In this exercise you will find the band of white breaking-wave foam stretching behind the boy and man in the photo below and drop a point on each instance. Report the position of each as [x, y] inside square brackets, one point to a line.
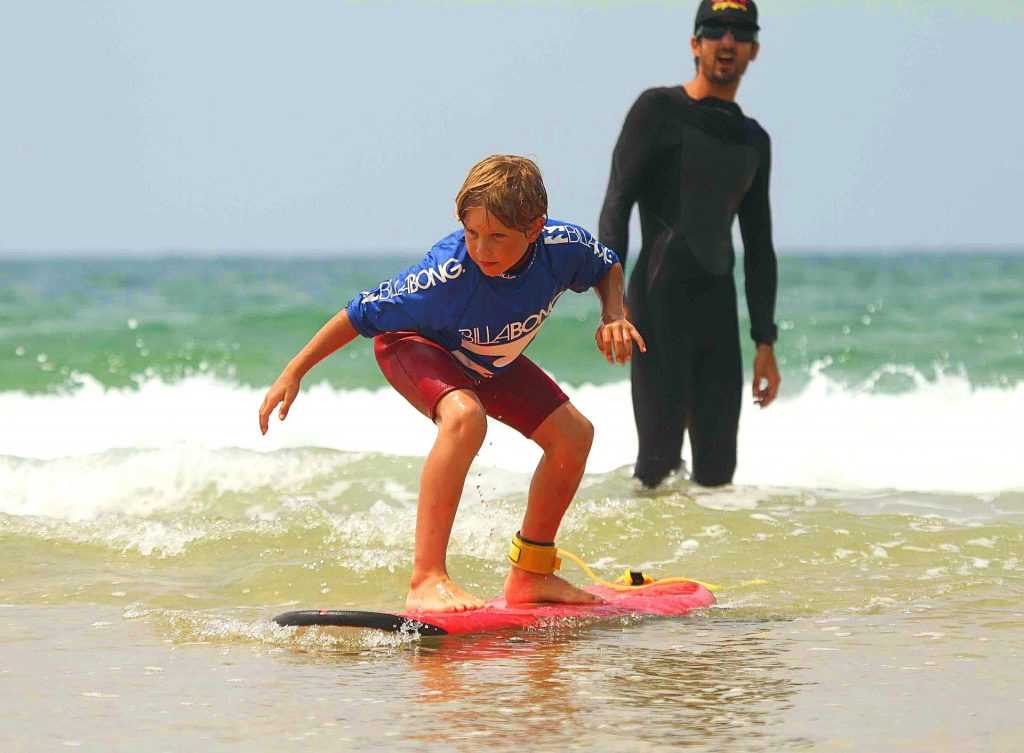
[945, 436]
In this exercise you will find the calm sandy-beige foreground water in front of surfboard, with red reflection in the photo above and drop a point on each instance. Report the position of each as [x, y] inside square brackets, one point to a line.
[729, 680]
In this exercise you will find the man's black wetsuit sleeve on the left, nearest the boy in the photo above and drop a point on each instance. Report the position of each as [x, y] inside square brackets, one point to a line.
[637, 145]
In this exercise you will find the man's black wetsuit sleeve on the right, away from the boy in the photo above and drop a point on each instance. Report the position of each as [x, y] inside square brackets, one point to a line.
[760, 265]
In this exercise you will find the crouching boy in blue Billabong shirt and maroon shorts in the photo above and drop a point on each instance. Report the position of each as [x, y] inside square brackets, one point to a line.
[449, 334]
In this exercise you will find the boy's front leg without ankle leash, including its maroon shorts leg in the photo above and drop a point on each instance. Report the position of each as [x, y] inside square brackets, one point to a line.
[426, 375]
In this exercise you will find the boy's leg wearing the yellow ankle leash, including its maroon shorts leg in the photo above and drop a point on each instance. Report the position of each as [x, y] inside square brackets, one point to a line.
[525, 398]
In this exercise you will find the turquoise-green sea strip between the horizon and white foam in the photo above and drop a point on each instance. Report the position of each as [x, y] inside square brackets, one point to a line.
[121, 320]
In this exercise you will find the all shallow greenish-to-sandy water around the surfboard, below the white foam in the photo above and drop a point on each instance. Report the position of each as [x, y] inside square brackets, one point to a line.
[884, 625]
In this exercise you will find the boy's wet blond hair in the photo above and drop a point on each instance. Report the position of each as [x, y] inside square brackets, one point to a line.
[509, 188]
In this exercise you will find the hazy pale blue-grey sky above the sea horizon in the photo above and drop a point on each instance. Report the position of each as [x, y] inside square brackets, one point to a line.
[237, 124]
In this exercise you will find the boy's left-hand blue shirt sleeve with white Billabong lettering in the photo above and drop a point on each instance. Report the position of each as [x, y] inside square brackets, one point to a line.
[411, 302]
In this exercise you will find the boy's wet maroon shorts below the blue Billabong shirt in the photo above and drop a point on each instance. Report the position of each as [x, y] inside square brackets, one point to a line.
[423, 372]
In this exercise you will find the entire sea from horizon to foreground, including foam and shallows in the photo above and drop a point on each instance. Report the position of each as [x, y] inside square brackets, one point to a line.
[149, 533]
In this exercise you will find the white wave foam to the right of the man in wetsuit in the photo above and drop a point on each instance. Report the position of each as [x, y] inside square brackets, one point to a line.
[946, 436]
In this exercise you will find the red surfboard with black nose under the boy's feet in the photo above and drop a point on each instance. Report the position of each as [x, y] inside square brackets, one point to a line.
[658, 600]
